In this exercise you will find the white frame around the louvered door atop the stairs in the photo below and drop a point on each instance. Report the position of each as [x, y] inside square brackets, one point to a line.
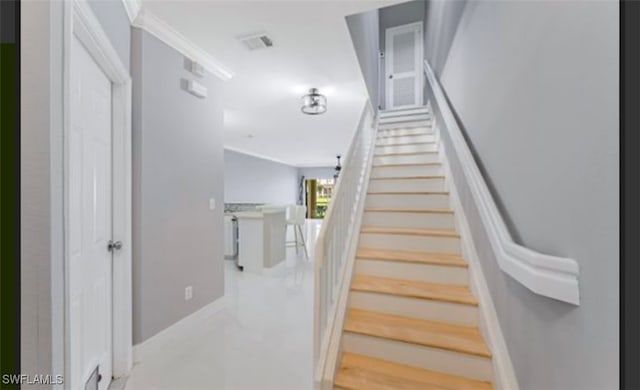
[419, 82]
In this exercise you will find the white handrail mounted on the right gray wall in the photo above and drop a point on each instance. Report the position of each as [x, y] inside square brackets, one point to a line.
[550, 276]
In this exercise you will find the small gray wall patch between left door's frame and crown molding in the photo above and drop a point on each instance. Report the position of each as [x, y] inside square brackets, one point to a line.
[115, 22]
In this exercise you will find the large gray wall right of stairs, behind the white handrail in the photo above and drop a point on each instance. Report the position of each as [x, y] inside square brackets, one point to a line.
[535, 86]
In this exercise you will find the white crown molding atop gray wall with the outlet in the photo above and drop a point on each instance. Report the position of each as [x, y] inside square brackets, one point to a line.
[161, 30]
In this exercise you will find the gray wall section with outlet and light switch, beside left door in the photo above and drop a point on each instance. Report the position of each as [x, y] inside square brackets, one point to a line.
[178, 166]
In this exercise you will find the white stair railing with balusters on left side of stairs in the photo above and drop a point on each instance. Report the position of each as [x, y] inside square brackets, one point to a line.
[335, 248]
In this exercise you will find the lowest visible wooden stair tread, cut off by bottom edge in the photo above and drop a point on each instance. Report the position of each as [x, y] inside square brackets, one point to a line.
[359, 372]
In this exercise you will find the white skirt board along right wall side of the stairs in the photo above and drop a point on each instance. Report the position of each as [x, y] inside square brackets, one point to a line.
[504, 374]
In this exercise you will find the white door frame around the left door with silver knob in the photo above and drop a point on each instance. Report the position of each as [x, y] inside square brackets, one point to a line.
[80, 21]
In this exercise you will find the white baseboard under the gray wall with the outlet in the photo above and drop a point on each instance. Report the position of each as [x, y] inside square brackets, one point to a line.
[180, 329]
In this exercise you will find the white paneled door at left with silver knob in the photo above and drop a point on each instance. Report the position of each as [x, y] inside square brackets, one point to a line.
[89, 221]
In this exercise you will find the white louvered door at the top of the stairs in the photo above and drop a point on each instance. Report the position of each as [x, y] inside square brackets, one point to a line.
[403, 66]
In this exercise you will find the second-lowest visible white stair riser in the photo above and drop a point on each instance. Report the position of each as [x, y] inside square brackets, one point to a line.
[424, 309]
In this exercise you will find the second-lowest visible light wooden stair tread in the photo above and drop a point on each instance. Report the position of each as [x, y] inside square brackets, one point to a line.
[440, 335]
